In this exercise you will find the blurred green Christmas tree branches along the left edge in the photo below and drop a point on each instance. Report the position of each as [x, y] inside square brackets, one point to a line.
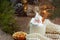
[7, 21]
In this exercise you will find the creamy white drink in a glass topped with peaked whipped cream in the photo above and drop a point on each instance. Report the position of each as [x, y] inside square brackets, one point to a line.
[36, 25]
